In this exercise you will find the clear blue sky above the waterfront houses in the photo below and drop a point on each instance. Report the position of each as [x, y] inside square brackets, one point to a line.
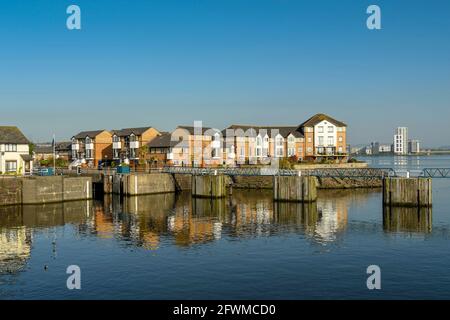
[167, 62]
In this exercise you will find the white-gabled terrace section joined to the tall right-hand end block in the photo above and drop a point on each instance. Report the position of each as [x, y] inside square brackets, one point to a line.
[319, 137]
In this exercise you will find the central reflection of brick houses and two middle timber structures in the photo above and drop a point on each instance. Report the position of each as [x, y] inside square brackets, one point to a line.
[146, 221]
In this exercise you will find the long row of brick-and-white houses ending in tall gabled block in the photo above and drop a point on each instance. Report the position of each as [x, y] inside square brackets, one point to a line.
[319, 137]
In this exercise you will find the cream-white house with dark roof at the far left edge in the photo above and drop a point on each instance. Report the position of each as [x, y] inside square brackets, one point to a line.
[14, 151]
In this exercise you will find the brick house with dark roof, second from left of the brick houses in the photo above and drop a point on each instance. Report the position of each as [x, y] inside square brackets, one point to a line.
[126, 143]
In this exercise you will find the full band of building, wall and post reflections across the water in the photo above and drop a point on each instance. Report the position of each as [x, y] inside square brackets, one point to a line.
[178, 219]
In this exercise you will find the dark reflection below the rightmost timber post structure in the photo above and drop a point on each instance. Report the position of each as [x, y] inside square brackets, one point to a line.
[407, 220]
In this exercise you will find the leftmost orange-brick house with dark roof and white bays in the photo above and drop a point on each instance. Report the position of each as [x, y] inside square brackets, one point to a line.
[92, 148]
